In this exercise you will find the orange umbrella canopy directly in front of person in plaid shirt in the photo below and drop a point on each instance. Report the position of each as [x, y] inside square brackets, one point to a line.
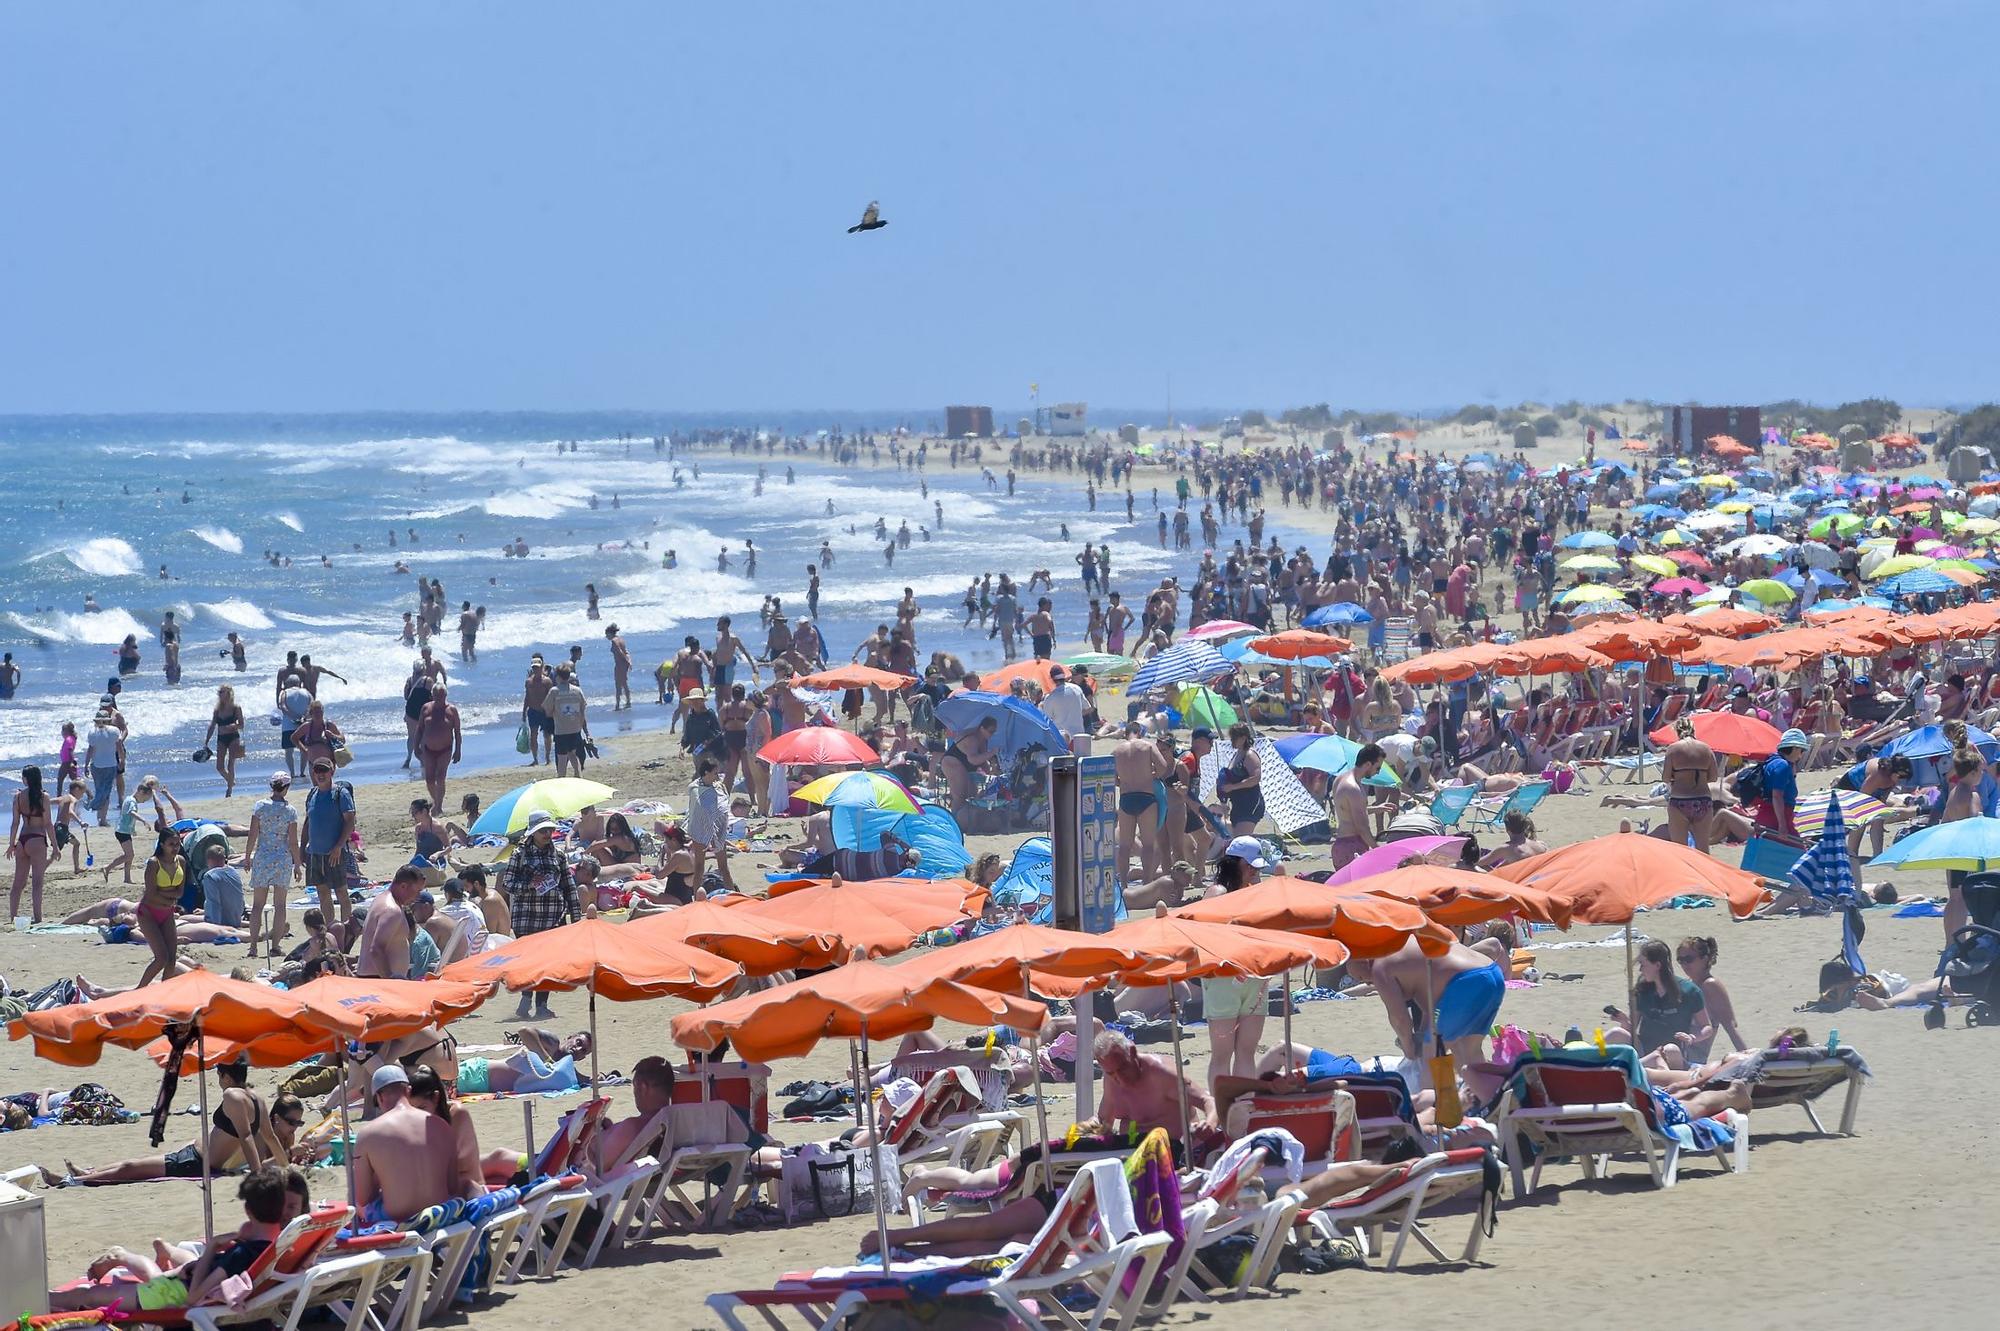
[611, 960]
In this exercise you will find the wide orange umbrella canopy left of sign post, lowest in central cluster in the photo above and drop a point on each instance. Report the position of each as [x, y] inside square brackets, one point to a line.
[863, 1000]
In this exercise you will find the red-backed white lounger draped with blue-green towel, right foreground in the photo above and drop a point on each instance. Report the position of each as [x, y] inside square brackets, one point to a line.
[1575, 1104]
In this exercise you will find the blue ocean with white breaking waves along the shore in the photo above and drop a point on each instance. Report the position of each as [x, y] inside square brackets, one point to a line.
[105, 503]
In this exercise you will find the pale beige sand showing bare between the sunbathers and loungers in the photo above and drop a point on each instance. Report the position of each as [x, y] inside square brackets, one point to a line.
[1821, 1230]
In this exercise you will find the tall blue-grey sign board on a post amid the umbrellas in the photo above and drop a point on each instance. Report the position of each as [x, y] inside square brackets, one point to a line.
[1083, 836]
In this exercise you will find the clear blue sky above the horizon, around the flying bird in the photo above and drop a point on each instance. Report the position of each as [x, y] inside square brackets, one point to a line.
[401, 207]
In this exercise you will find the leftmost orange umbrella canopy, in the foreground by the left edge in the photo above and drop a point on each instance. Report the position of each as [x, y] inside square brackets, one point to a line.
[229, 1010]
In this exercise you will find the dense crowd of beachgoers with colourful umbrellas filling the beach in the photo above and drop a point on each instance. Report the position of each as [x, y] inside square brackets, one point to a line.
[1681, 639]
